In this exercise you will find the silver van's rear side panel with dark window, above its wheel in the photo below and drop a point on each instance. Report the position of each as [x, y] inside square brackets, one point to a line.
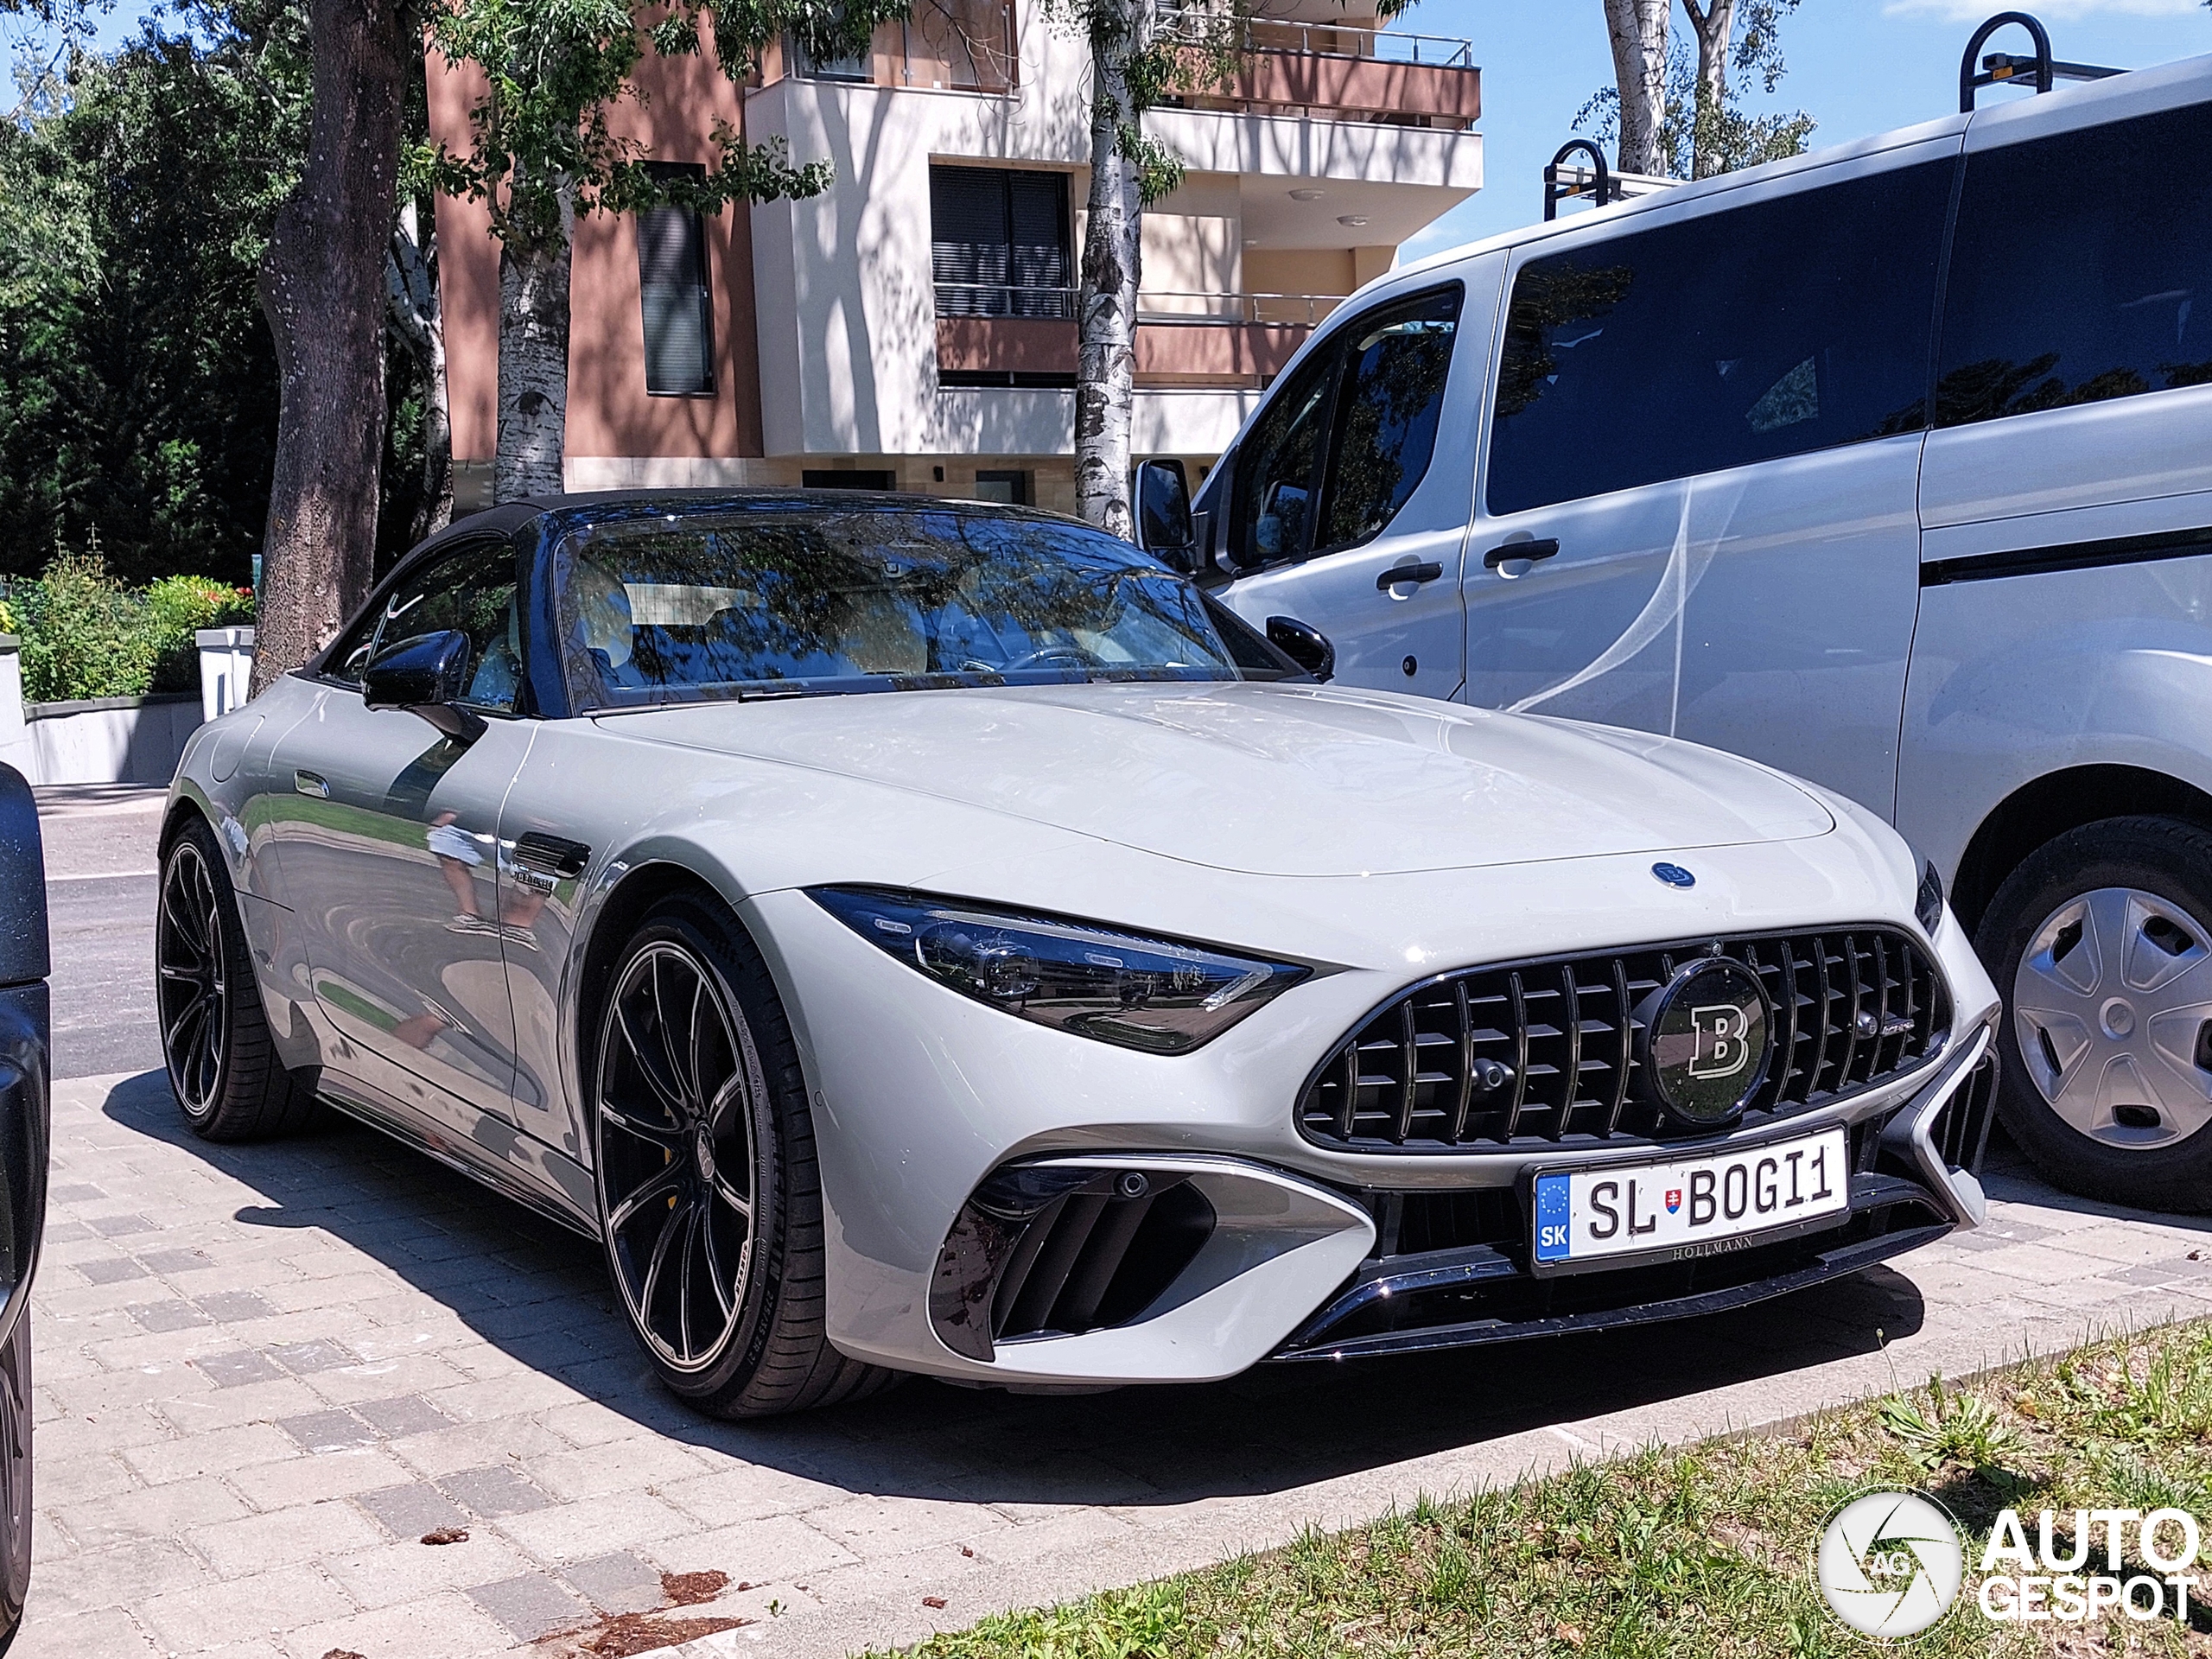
[2067, 490]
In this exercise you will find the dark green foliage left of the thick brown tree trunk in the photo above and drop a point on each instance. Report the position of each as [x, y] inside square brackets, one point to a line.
[138, 388]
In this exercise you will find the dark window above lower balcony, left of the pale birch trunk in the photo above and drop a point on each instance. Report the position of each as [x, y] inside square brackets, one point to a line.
[999, 242]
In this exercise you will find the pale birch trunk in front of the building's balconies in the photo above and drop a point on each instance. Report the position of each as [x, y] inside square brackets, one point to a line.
[1107, 302]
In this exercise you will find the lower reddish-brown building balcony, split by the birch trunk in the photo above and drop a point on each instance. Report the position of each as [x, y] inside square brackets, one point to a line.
[1025, 337]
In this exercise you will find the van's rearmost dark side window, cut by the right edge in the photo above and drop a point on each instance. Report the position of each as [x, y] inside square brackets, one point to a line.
[2074, 286]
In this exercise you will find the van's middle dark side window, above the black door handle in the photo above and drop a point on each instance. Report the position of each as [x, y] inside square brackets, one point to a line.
[1764, 331]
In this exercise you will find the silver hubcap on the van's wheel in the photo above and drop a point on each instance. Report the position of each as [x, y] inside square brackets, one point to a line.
[2114, 1016]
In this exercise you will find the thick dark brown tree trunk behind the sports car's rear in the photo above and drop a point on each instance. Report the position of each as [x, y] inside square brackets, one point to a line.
[324, 293]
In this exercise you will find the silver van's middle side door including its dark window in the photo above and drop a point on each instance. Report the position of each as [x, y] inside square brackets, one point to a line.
[1698, 503]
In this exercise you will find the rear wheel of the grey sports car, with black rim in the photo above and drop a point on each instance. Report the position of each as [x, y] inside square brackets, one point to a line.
[216, 1036]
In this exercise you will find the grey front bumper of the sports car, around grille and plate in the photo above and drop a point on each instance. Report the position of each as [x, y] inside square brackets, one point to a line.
[926, 1105]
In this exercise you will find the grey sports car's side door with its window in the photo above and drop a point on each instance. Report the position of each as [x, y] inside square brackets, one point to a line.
[390, 853]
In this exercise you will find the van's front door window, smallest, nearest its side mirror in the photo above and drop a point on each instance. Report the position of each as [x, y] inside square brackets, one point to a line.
[1346, 441]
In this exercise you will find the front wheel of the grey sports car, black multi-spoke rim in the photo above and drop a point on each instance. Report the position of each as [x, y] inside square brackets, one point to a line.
[693, 1081]
